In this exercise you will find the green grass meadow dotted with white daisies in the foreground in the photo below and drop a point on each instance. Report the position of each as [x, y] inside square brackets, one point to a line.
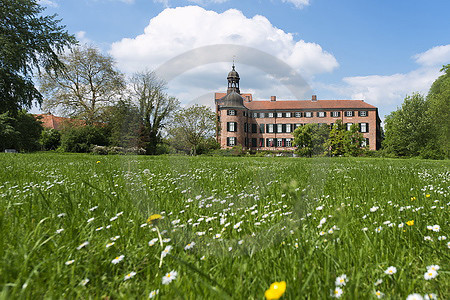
[76, 226]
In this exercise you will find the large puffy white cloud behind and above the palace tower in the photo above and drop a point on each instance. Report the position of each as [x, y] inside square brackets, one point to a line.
[254, 41]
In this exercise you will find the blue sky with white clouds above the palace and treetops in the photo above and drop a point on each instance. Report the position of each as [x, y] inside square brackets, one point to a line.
[375, 50]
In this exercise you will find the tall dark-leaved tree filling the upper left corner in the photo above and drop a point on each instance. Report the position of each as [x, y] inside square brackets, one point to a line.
[29, 41]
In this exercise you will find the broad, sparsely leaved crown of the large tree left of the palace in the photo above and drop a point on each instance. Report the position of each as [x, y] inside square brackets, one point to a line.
[85, 87]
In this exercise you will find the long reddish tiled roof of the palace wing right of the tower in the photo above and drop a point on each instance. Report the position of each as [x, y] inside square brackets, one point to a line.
[308, 104]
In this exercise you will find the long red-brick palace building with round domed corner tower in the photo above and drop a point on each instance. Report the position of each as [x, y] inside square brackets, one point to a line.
[269, 124]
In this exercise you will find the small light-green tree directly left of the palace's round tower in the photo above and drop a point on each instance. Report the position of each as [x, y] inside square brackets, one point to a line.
[193, 126]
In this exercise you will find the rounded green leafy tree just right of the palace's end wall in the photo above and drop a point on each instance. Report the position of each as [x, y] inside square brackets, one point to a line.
[409, 129]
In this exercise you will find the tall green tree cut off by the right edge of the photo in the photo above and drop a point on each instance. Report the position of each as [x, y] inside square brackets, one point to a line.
[438, 99]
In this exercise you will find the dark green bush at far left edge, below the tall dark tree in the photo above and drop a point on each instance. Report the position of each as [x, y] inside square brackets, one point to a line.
[20, 132]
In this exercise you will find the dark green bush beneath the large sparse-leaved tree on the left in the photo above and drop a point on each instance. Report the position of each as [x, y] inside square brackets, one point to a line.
[82, 139]
